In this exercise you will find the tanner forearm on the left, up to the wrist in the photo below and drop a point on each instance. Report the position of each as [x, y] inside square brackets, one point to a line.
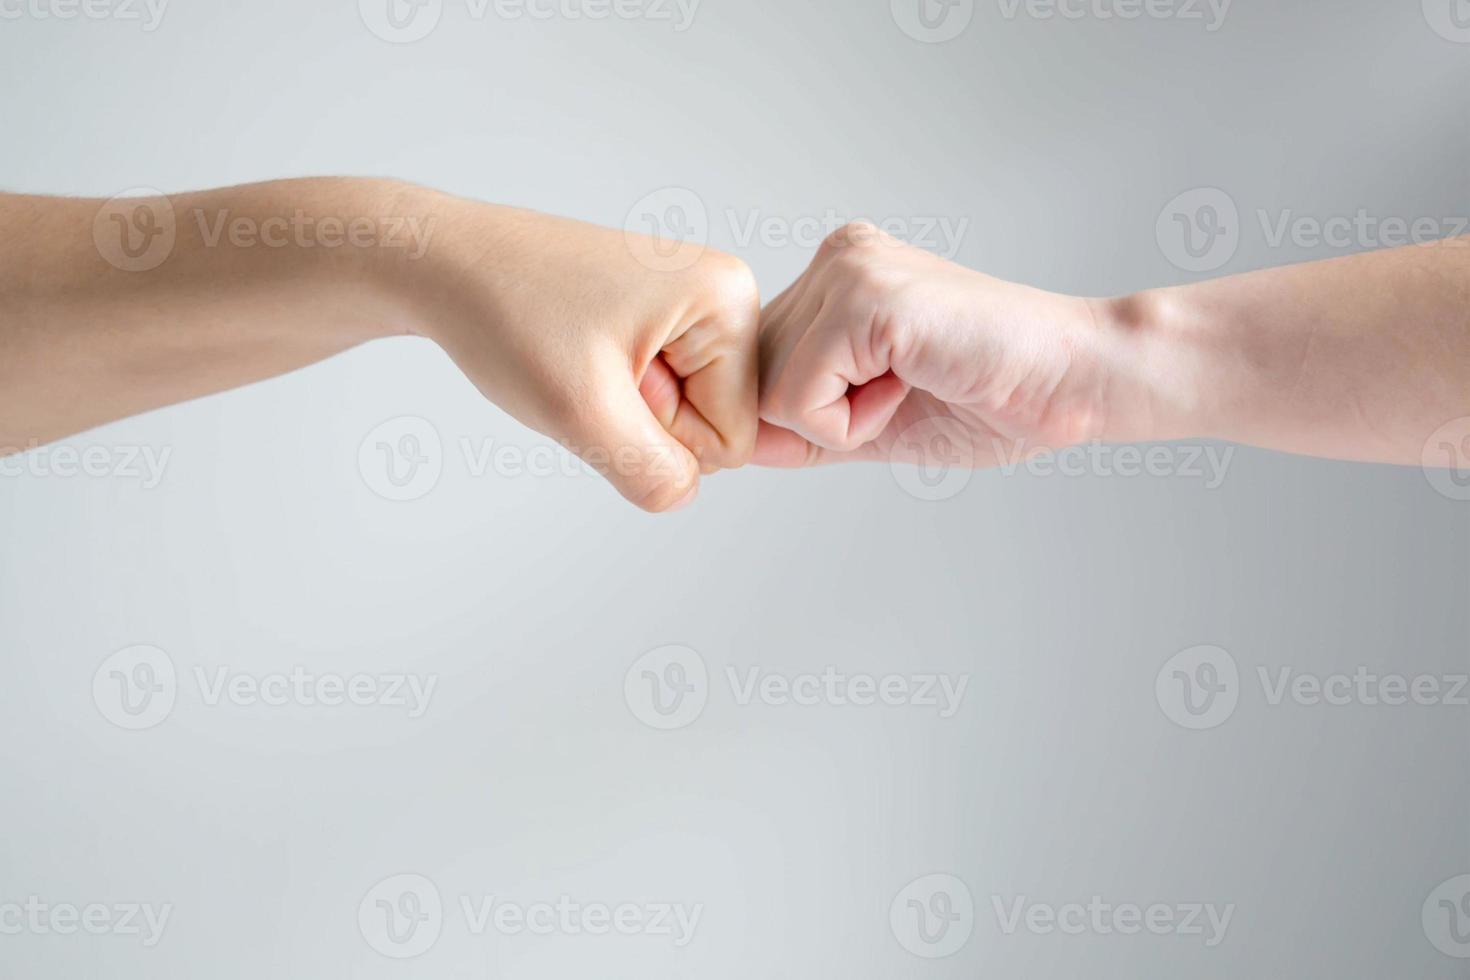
[259, 281]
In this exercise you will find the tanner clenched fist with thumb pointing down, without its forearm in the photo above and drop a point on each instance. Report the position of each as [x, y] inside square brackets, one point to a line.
[580, 333]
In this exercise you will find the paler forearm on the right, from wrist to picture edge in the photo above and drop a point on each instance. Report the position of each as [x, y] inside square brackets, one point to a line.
[1356, 359]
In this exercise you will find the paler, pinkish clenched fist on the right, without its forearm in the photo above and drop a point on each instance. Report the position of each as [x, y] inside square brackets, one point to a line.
[878, 337]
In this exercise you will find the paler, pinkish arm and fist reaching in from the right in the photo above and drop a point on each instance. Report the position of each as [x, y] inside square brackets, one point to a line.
[881, 349]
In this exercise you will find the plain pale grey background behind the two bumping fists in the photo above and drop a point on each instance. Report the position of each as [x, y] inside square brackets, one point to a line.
[530, 778]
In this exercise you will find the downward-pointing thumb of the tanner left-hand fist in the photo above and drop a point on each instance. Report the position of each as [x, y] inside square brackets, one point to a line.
[624, 442]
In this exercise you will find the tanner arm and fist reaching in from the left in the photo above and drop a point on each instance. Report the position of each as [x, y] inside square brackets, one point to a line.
[642, 362]
